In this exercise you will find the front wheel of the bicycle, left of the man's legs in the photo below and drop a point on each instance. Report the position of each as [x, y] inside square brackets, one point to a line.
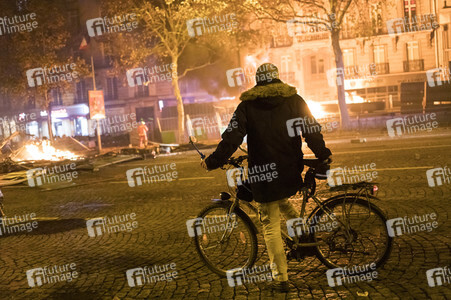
[225, 246]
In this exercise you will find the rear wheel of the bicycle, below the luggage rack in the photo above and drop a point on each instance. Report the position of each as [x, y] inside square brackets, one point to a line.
[362, 240]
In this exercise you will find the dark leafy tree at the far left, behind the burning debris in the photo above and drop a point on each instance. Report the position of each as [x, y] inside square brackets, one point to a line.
[47, 46]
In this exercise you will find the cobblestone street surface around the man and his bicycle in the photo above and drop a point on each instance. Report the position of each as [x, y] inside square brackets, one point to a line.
[161, 237]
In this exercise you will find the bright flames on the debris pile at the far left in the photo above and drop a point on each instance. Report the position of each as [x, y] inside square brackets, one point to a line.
[44, 151]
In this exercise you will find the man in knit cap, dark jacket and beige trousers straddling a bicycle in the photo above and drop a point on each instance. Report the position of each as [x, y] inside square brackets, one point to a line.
[273, 116]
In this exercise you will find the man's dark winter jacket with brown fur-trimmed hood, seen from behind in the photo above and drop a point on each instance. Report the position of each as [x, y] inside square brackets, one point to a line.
[266, 116]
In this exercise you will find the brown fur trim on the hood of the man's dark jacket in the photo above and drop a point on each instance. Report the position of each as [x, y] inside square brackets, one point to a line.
[267, 91]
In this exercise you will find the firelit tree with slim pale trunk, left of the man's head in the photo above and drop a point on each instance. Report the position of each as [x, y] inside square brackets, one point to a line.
[163, 34]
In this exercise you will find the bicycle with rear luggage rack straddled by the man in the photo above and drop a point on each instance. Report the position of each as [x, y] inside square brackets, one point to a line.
[348, 244]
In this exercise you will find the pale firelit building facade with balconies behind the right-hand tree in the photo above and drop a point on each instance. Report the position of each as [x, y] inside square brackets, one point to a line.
[386, 71]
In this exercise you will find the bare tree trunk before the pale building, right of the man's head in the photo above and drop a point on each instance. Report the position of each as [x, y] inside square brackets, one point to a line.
[344, 116]
